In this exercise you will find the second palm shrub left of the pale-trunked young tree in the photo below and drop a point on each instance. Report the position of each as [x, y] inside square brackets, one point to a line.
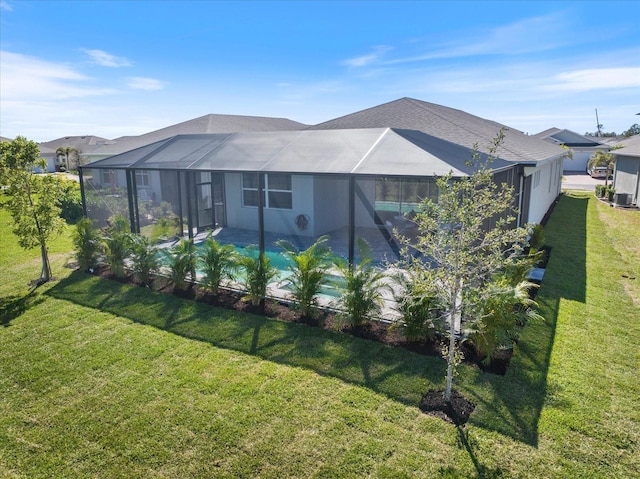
[361, 295]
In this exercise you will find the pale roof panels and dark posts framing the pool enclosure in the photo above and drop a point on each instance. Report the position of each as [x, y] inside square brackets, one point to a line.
[355, 154]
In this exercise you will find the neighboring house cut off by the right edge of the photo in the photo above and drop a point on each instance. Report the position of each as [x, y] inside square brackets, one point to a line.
[626, 176]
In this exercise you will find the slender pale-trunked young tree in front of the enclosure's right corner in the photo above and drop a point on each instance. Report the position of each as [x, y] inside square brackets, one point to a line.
[458, 253]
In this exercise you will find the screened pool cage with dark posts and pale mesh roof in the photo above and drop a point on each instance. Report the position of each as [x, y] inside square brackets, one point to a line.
[257, 188]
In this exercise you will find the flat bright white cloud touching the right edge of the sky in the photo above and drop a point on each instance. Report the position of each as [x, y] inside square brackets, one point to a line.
[596, 79]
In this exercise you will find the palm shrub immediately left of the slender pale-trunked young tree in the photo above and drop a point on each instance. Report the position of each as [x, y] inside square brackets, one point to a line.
[420, 313]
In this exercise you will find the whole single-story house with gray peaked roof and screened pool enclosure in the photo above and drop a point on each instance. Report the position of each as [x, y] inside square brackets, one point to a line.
[363, 172]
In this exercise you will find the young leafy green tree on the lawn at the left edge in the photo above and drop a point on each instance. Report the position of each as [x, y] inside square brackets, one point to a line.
[33, 199]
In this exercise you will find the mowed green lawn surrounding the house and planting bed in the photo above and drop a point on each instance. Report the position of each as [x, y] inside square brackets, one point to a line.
[99, 379]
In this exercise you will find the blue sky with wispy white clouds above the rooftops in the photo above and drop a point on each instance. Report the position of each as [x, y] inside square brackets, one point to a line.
[129, 67]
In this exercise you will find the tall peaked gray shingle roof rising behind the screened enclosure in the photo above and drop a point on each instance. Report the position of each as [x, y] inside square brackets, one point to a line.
[449, 124]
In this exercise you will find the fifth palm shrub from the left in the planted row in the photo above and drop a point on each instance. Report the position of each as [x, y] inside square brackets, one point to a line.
[217, 263]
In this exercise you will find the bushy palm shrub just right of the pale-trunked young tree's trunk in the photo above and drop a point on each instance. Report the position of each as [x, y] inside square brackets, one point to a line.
[504, 308]
